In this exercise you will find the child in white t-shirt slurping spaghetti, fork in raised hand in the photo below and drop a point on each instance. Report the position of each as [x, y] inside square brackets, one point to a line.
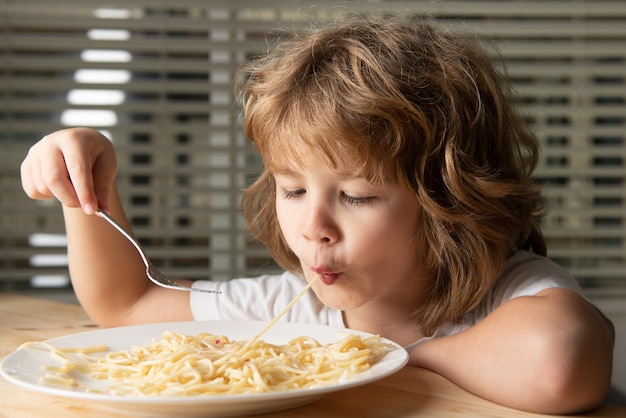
[399, 173]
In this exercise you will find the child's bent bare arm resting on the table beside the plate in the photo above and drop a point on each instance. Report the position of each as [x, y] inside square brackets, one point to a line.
[549, 353]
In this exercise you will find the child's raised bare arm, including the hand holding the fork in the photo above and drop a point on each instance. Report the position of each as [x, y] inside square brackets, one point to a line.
[78, 166]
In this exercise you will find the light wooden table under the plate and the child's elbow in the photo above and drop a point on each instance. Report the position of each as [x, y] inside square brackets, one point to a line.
[412, 392]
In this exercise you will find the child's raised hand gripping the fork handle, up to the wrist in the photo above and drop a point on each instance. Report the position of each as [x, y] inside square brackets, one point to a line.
[76, 166]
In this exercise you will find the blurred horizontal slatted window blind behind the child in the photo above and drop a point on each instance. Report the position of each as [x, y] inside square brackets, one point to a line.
[156, 77]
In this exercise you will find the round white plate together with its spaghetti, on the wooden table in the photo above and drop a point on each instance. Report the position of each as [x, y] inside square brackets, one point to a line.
[203, 368]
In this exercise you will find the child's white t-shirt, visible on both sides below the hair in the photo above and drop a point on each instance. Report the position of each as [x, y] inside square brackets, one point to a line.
[262, 298]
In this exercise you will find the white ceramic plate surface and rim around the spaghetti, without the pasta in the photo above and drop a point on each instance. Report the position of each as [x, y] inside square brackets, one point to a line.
[25, 366]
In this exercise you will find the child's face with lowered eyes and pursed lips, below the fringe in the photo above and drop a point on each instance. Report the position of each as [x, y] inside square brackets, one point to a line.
[360, 238]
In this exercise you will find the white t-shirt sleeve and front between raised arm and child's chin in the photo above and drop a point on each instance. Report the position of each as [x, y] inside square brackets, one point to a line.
[260, 299]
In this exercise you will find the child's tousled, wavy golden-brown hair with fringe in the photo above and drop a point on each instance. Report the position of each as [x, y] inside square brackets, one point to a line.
[413, 105]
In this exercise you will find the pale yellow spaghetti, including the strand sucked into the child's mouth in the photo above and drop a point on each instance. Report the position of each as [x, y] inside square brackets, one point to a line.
[208, 364]
